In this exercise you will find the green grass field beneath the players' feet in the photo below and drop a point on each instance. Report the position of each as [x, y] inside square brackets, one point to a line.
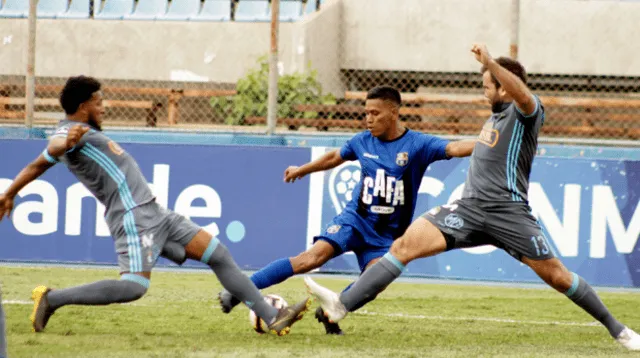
[179, 317]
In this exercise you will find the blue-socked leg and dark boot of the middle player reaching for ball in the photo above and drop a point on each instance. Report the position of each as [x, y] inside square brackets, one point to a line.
[280, 270]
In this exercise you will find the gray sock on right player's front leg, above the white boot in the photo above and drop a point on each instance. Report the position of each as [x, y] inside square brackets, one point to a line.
[373, 281]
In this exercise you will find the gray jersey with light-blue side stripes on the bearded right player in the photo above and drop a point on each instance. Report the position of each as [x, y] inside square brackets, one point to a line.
[502, 158]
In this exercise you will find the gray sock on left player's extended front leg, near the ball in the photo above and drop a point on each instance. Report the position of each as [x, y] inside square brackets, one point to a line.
[233, 280]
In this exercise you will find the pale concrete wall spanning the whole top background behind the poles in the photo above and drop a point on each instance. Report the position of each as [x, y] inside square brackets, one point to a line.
[556, 36]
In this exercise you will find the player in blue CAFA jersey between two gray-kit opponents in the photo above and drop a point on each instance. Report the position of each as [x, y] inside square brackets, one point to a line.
[393, 160]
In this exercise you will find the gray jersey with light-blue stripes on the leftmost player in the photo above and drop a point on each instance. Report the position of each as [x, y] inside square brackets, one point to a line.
[110, 173]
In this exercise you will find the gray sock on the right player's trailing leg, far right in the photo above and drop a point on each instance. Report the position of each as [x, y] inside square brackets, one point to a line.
[584, 296]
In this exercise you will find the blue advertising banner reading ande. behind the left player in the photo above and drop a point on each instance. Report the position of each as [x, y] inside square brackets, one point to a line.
[236, 193]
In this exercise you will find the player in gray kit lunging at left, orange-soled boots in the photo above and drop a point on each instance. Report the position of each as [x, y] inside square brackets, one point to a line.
[141, 228]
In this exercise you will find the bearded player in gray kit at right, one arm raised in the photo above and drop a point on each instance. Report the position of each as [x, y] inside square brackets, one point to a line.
[493, 210]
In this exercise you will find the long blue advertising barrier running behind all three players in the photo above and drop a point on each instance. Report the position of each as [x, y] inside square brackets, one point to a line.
[585, 197]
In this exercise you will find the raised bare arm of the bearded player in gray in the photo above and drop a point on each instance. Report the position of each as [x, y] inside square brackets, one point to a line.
[513, 85]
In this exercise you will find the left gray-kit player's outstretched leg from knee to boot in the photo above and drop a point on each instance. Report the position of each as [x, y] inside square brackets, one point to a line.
[212, 252]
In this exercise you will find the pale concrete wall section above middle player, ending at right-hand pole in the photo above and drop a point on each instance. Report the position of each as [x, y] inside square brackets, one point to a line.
[422, 35]
